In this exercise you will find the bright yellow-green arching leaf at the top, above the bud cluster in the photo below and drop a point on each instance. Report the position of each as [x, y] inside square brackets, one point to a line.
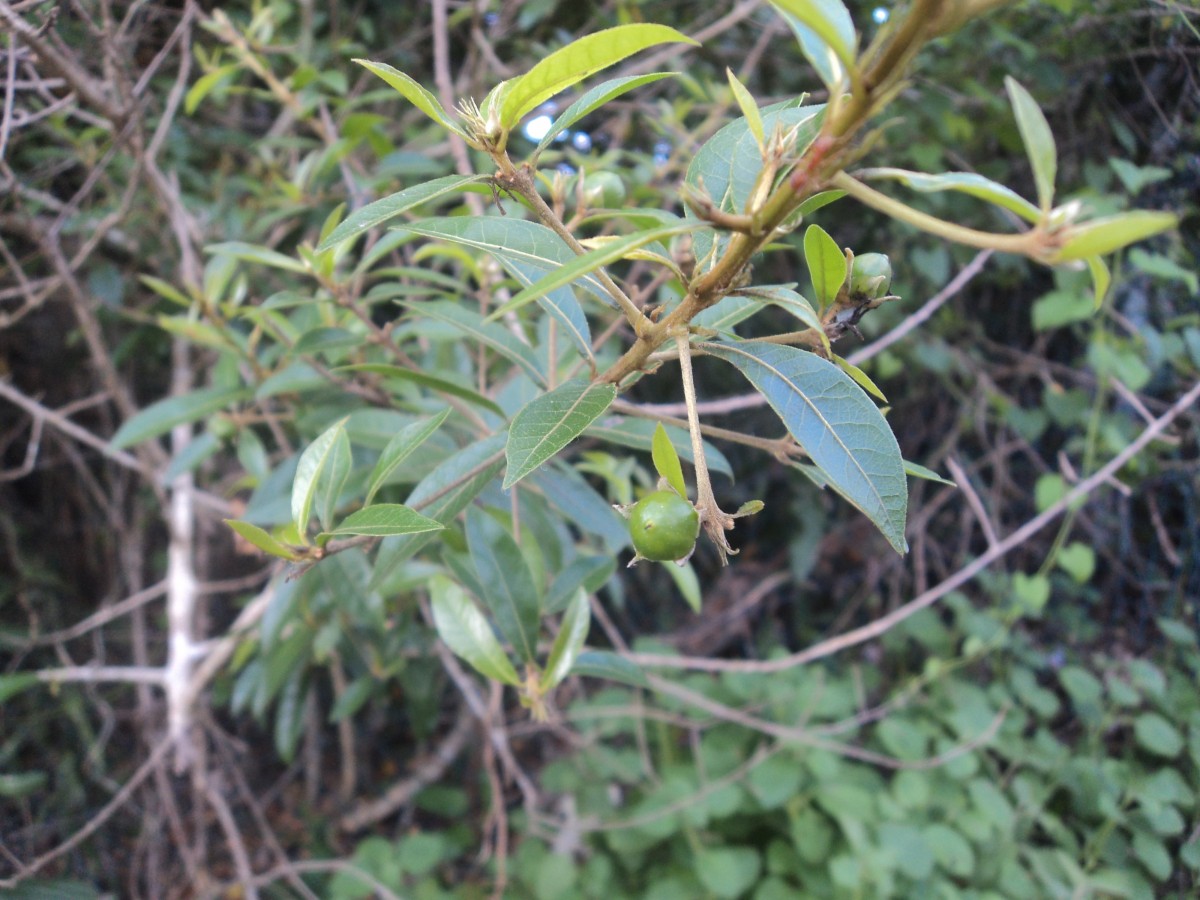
[577, 62]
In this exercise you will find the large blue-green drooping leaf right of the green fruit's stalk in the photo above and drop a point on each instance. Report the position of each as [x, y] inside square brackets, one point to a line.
[837, 425]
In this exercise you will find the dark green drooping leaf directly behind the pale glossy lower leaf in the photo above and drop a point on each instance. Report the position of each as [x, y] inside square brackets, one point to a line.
[509, 590]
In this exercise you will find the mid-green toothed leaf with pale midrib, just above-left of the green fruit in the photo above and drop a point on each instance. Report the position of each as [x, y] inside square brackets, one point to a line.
[551, 422]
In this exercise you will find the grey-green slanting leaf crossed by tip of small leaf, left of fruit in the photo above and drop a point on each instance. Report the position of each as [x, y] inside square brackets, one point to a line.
[442, 495]
